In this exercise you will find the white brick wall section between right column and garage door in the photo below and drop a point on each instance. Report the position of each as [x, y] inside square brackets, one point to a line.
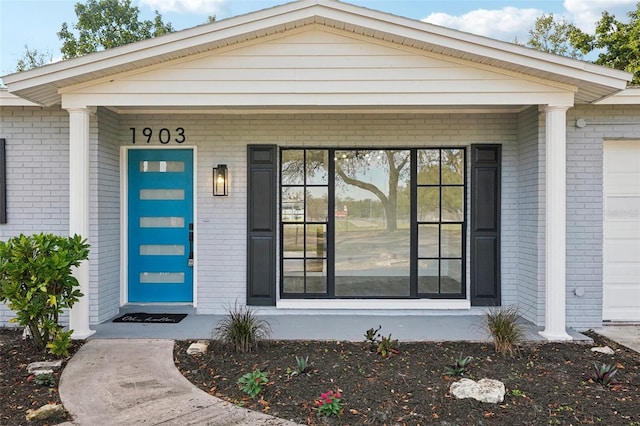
[585, 205]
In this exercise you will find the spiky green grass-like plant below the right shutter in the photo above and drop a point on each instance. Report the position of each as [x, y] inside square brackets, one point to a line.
[503, 326]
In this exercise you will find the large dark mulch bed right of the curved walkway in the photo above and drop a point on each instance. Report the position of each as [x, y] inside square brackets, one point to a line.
[547, 384]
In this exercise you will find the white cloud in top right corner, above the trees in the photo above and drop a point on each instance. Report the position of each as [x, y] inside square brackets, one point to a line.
[585, 13]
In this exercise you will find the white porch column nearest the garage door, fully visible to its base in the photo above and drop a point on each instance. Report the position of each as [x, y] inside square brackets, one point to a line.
[555, 223]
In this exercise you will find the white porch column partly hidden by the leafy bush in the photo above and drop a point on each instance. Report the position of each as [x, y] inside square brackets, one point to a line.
[79, 212]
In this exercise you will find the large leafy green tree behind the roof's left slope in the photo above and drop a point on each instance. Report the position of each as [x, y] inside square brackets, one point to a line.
[103, 24]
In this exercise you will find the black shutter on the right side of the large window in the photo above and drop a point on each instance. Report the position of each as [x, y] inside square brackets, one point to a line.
[486, 164]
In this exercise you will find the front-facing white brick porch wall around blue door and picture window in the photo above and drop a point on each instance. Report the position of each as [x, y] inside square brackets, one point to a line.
[223, 139]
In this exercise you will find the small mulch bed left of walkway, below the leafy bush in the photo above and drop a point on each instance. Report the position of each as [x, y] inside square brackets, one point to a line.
[18, 389]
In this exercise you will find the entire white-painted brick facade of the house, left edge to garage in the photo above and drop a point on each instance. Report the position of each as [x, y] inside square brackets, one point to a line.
[37, 145]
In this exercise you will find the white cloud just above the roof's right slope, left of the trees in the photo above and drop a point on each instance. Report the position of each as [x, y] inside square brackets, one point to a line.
[503, 24]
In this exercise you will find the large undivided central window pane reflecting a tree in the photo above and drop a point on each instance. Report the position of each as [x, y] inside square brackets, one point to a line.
[371, 238]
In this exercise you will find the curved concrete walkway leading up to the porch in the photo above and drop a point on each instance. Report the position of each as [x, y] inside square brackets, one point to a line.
[134, 382]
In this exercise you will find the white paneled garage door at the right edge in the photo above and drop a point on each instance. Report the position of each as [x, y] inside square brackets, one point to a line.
[621, 231]
